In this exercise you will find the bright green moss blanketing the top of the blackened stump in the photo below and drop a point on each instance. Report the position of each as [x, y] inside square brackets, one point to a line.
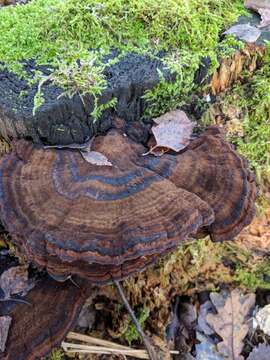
[59, 32]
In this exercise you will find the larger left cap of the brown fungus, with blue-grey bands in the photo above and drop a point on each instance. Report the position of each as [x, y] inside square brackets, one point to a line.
[99, 222]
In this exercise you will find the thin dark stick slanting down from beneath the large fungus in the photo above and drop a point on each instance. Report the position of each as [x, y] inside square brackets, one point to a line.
[151, 352]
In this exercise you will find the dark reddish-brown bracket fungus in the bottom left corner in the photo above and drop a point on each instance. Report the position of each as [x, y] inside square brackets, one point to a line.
[40, 324]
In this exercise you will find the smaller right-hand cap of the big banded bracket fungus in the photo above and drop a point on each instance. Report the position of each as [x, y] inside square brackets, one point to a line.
[211, 168]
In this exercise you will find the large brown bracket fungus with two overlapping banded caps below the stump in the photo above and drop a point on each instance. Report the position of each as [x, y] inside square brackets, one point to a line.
[104, 223]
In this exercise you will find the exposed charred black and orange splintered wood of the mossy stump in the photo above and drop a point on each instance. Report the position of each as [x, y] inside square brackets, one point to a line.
[64, 120]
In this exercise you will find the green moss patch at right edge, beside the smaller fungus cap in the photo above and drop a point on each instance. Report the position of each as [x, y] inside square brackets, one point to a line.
[254, 99]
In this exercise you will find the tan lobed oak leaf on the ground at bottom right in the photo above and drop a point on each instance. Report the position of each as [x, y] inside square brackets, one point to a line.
[230, 321]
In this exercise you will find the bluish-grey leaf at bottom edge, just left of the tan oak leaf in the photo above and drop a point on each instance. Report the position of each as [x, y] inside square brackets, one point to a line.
[206, 349]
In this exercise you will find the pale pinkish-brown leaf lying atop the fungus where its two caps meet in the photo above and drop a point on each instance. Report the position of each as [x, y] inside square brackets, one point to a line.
[173, 131]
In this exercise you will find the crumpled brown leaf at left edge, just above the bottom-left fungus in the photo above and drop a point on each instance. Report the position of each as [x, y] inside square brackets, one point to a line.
[15, 281]
